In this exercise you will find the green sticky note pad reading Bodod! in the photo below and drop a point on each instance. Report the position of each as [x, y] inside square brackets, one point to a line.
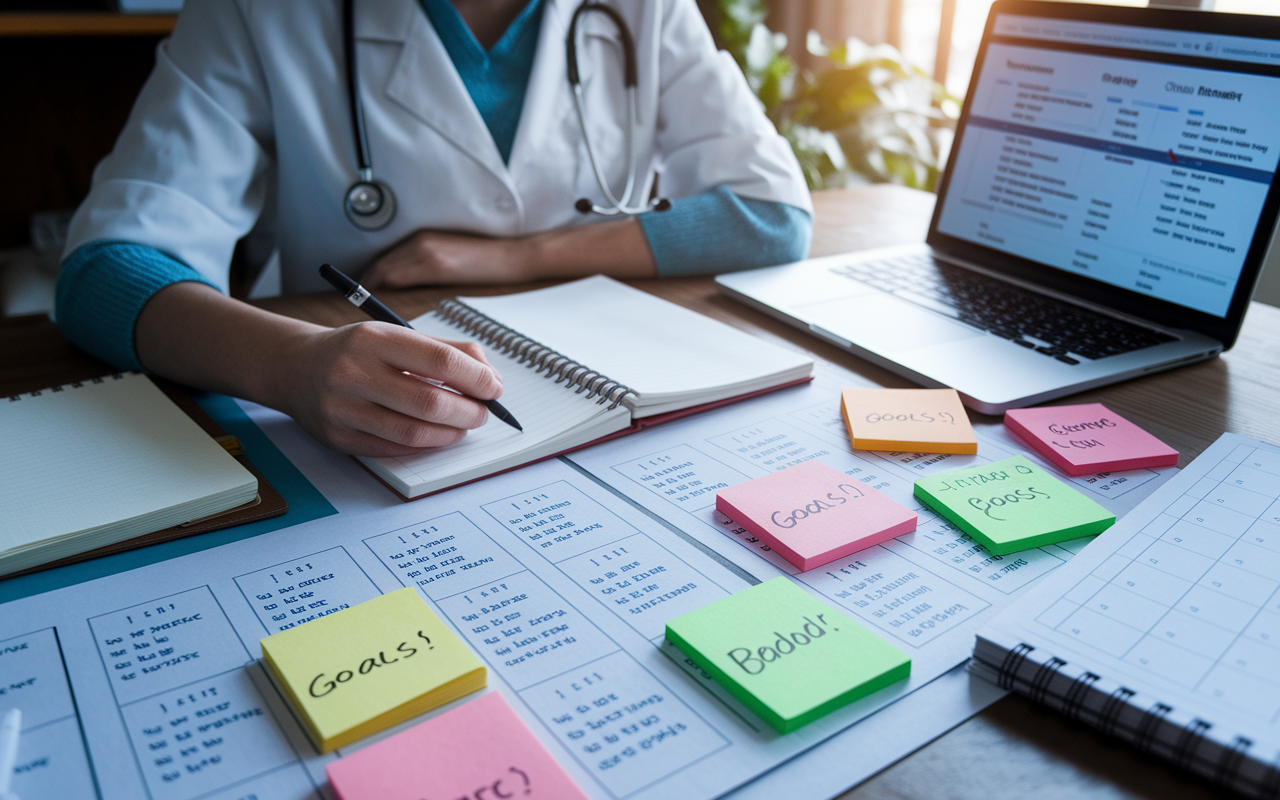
[785, 655]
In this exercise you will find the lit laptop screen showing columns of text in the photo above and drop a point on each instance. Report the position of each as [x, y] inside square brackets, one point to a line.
[1141, 158]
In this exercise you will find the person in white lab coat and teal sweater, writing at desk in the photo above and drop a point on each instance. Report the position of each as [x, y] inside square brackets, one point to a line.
[245, 132]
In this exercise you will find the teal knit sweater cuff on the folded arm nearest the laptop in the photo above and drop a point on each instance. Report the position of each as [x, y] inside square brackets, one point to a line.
[720, 232]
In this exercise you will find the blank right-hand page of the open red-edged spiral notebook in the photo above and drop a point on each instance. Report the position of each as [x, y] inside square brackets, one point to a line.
[661, 350]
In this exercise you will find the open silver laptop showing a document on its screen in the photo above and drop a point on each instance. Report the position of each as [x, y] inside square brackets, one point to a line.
[1107, 211]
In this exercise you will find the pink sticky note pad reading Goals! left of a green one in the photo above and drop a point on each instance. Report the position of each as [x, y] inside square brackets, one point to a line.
[812, 514]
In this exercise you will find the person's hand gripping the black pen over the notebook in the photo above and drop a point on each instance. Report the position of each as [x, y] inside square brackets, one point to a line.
[349, 388]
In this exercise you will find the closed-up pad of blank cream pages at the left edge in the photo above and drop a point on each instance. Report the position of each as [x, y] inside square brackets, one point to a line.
[97, 463]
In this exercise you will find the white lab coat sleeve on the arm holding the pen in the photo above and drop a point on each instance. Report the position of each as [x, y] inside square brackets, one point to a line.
[189, 173]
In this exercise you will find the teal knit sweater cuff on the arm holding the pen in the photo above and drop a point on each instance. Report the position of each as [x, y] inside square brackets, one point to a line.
[102, 291]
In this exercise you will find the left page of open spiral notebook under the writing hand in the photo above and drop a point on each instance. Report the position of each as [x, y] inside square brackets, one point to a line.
[554, 417]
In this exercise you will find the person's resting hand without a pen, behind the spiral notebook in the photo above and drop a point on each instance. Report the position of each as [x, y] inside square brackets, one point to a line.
[437, 258]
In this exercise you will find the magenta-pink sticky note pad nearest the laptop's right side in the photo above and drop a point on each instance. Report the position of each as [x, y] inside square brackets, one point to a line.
[1089, 438]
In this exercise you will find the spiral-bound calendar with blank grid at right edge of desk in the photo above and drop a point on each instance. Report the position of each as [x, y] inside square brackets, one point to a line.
[1165, 632]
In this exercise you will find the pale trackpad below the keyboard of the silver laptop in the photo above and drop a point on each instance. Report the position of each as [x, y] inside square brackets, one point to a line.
[883, 323]
